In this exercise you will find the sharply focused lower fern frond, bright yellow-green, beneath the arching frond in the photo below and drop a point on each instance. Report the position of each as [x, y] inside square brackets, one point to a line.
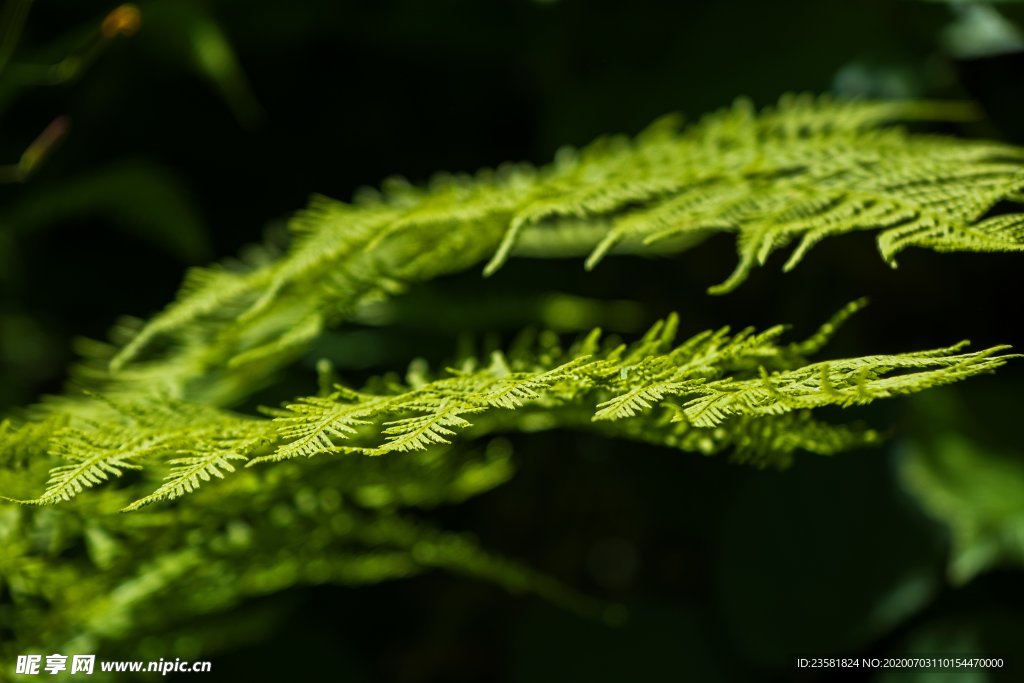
[744, 385]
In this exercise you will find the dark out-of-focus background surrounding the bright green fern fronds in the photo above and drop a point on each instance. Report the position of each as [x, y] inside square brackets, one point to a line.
[205, 130]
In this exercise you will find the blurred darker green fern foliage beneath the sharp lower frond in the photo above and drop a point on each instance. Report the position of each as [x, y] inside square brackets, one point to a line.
[145, 576]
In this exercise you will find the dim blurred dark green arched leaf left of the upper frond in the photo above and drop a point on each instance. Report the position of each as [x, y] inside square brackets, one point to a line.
[138, 197]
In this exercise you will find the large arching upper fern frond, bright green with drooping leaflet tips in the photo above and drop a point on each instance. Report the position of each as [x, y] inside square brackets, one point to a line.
[794, 175]
